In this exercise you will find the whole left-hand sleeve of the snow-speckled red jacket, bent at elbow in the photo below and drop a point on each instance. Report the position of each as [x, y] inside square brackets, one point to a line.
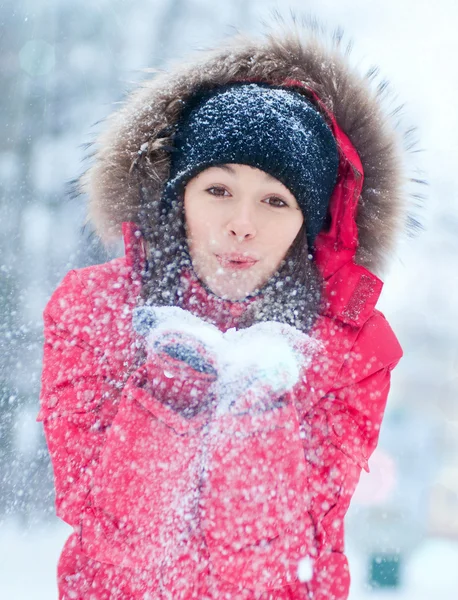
[109, 436]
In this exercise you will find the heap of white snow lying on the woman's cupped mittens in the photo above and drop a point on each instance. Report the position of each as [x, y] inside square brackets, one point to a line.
[264, 360]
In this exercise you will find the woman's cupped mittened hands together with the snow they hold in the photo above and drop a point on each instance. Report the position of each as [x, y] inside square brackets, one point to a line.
[252, 368]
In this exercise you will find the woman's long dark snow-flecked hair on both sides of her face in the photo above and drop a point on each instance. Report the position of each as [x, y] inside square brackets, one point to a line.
[292, 295]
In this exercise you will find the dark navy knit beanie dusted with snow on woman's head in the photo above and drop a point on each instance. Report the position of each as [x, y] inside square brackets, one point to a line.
[274, 129]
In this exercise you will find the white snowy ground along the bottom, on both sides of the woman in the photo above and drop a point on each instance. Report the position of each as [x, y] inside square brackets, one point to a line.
[28, 559]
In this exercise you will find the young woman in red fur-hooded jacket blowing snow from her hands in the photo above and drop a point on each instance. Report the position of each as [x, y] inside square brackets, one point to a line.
[210, 399]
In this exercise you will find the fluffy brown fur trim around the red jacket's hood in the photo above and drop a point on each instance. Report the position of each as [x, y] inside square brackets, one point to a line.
[139, 133]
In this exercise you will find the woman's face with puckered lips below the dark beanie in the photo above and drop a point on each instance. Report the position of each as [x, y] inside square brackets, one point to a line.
[240, 223]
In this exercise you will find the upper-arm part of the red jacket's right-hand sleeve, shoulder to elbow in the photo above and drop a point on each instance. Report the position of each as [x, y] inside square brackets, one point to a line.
[341, 430]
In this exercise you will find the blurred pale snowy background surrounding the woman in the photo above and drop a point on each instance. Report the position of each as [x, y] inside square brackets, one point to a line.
[64, 65]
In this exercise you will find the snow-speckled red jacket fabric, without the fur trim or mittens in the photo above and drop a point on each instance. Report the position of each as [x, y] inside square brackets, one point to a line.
[210, 506]
